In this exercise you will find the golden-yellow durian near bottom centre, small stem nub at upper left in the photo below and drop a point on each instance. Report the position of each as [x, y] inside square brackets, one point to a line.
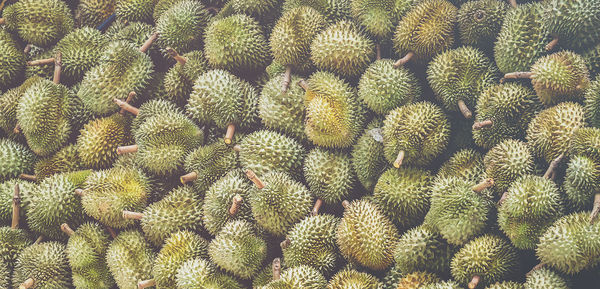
[366, 236]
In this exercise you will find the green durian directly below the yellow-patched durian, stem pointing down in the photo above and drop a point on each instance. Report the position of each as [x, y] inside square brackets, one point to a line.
[329, 175]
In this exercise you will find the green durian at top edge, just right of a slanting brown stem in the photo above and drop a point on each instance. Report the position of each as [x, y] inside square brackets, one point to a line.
[181, 26]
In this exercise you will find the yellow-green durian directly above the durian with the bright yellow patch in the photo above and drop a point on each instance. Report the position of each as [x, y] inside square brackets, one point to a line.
[341, 48]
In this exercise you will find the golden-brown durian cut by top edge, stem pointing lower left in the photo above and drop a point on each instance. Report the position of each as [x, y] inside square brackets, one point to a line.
[425, 31]
